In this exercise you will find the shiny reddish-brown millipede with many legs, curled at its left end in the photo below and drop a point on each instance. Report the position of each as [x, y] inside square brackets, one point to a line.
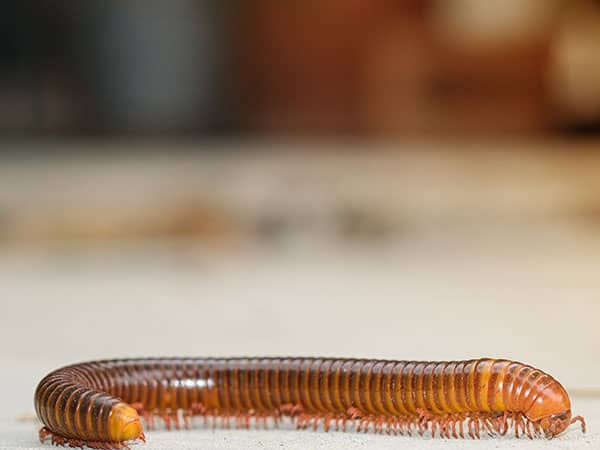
[102, 404]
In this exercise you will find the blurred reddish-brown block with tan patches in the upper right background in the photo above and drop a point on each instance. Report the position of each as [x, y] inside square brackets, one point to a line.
[400, 68]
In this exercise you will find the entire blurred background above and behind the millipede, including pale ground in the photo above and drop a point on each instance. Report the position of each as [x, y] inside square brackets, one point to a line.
[393, 178]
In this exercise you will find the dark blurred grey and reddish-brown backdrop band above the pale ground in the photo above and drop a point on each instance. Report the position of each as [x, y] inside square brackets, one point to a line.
[385, 68]
